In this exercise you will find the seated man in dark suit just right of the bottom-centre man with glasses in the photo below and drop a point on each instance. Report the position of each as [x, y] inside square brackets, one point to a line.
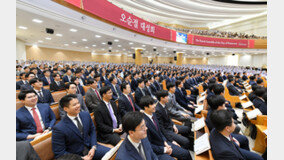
[159, 143]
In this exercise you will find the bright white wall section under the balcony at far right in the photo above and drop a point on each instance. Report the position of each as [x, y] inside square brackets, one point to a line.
[254, 60]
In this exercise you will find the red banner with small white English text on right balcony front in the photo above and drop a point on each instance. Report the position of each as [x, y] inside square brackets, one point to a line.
[220, 42]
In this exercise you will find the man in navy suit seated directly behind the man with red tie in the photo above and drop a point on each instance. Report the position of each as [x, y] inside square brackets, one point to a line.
[44, 95]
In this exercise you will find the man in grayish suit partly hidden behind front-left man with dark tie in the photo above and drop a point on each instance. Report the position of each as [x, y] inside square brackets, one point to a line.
[71, 88]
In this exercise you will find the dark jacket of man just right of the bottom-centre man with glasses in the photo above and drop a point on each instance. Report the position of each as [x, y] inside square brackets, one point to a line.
[155, 137]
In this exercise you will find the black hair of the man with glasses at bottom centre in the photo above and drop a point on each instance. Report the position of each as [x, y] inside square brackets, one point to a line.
[131, 120]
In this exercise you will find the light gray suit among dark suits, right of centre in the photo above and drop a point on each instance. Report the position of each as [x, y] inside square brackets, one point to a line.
[175, 110]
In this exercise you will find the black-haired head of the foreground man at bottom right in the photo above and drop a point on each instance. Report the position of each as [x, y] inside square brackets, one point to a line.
[221, 119]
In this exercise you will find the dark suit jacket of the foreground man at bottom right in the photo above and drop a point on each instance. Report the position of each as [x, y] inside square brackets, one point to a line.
[222, 148]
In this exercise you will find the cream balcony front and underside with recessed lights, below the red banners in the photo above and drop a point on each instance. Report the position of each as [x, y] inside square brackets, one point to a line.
[62, 19]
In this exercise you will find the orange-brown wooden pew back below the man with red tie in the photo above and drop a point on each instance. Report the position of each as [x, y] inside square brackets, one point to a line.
[43, 147]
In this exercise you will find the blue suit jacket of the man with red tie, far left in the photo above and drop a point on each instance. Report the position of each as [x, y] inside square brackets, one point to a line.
[25, 123]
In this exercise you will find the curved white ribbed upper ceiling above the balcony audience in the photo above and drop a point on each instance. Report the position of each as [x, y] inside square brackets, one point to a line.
[191, 13]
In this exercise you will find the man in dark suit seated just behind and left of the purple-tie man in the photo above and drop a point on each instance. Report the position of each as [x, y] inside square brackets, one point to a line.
[93, 97]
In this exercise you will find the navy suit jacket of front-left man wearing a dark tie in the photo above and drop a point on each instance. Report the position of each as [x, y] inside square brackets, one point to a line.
[66, 137]
